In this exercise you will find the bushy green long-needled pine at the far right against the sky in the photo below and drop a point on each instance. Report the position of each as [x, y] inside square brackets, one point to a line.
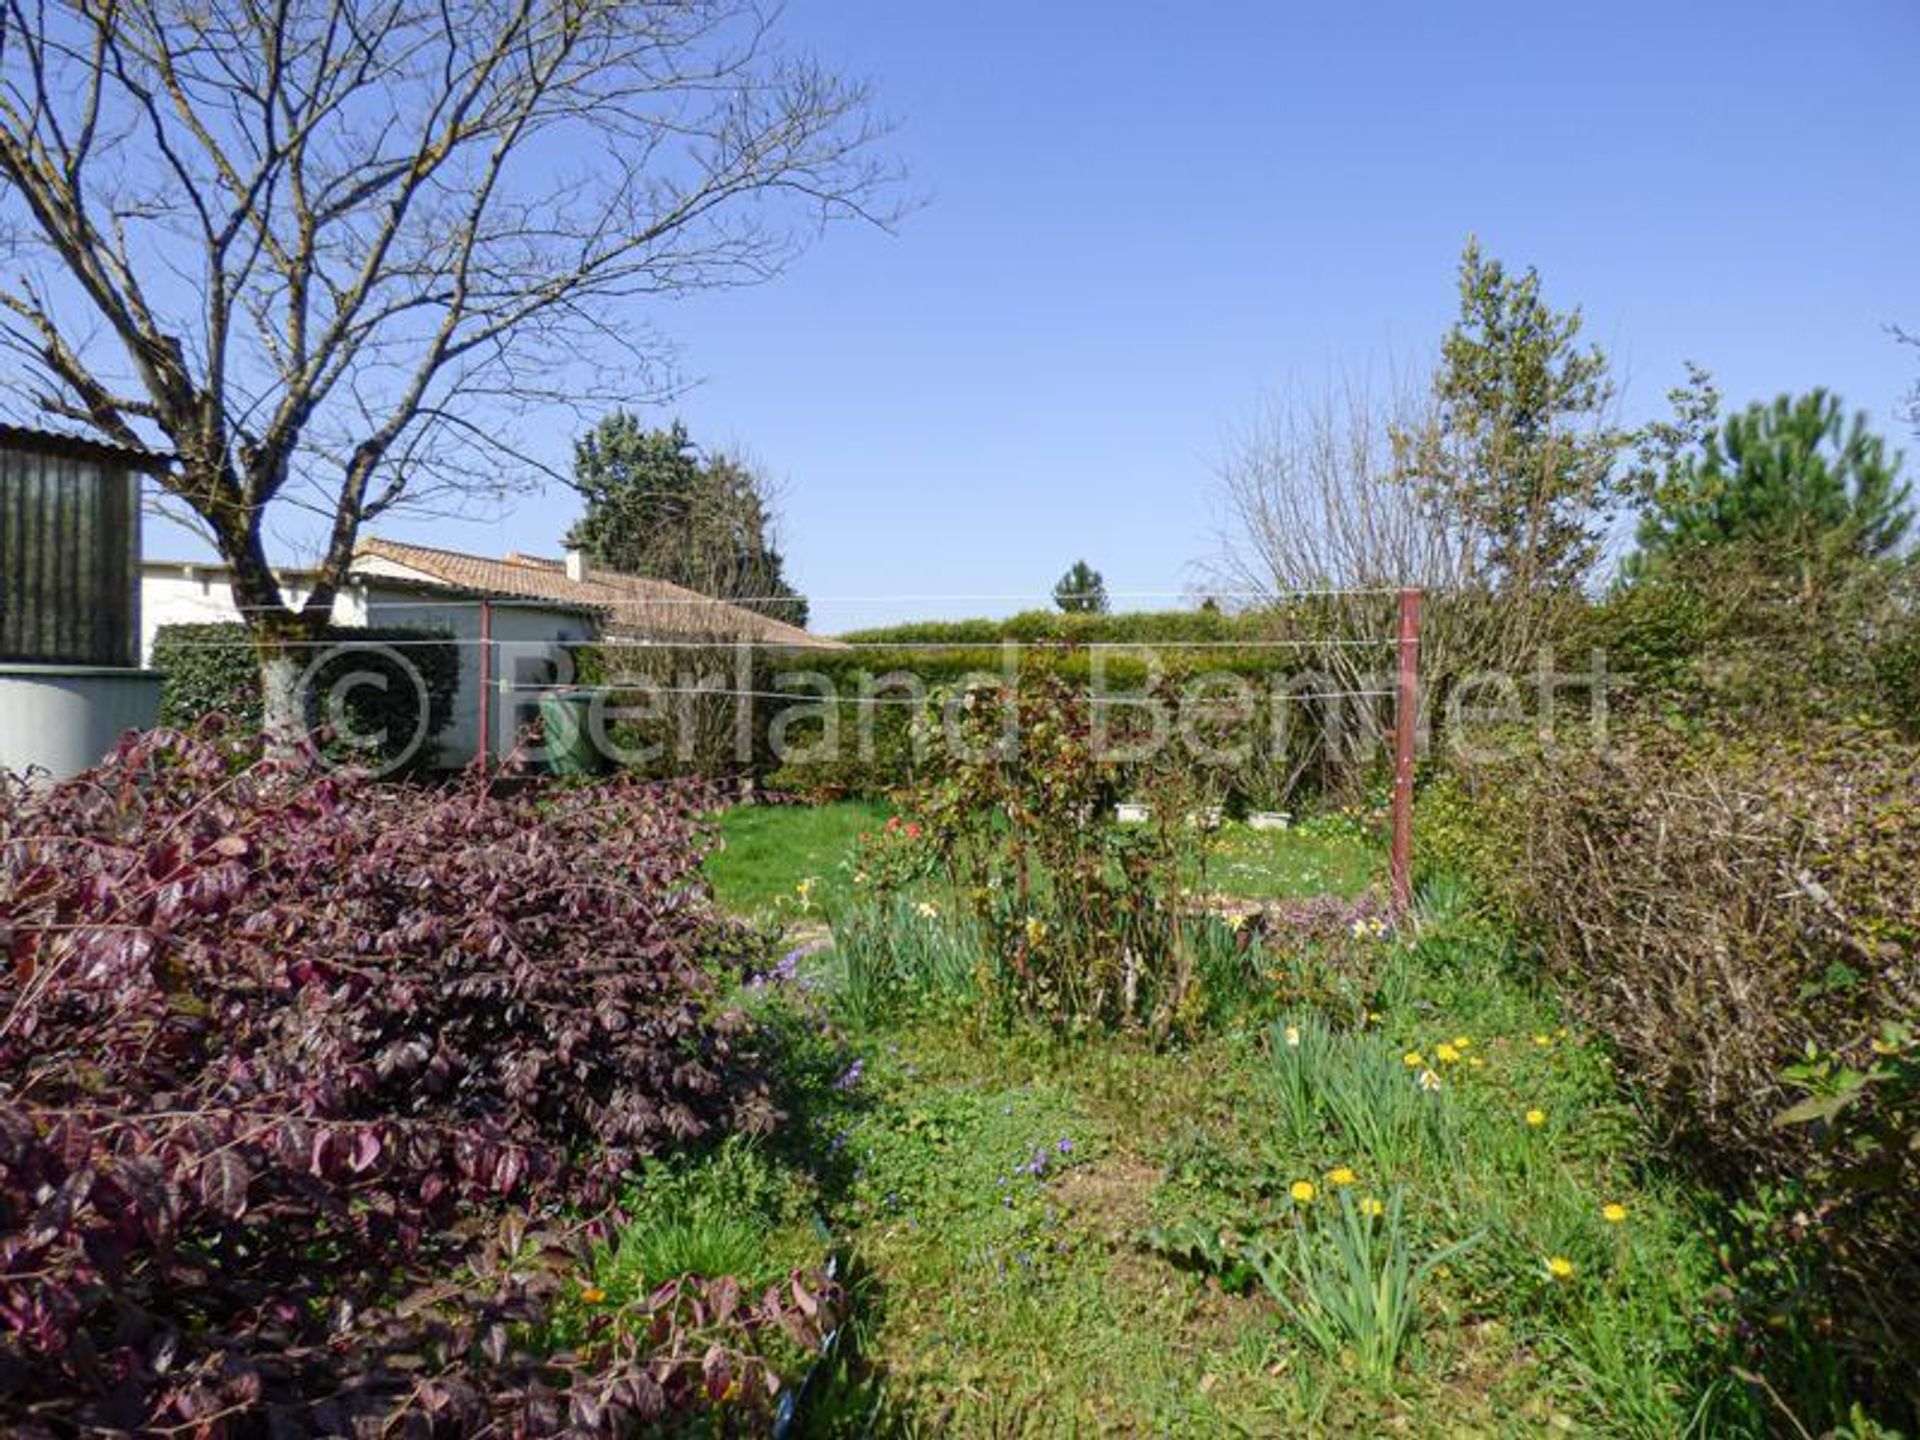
[1806, 492]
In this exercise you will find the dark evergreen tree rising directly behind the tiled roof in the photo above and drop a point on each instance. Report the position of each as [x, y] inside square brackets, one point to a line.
[658, 508]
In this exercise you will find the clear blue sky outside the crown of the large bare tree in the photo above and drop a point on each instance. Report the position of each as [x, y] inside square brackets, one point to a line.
[1145, 218]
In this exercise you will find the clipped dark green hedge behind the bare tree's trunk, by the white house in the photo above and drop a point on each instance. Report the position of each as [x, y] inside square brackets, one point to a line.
[214, 669]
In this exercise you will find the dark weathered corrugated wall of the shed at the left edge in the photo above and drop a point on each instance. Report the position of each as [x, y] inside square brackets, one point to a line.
[68, 560]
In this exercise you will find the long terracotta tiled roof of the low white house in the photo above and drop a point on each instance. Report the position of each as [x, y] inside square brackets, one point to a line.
[635, 606]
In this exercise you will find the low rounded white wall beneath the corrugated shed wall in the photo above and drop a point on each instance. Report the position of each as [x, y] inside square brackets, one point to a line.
[66, 719]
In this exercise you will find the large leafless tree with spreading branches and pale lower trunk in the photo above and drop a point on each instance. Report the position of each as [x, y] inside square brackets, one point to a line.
[325, 252]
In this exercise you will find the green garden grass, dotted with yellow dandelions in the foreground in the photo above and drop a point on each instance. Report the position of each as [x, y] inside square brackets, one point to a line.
[1280, 1228]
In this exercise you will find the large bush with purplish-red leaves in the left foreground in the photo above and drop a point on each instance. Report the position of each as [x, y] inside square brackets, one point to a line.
[306, 1086]
